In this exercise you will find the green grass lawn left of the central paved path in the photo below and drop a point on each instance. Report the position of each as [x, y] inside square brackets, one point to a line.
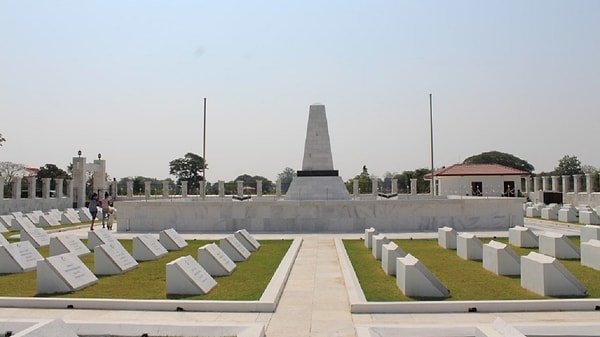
[148, 280]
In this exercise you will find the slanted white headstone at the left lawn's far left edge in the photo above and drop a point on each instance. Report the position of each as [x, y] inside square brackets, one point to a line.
[18, 257]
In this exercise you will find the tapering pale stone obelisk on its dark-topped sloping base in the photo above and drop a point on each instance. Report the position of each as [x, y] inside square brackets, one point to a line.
[317, 180]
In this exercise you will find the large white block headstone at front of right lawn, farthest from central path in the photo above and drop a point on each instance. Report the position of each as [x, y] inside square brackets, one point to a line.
[546, 276]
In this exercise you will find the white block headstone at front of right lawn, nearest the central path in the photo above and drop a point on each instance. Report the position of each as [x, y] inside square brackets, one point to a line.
[415, 280]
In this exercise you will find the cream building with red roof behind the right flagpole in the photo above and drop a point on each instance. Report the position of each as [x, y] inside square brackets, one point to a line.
[479, 180]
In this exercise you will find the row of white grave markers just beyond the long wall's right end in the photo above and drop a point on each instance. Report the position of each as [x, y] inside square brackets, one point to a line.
[583, 214]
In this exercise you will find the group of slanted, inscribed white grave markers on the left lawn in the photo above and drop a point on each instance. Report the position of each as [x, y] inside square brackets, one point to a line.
[63, 271]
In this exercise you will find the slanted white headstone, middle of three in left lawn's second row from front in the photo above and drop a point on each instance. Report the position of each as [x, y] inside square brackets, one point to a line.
[112, 258]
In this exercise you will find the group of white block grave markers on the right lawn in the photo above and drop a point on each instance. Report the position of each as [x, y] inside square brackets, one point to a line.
[540, 273]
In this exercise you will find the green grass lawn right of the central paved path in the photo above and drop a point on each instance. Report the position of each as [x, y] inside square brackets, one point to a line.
[467, 280]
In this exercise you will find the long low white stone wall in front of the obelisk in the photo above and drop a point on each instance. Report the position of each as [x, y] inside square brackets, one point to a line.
[256, 216]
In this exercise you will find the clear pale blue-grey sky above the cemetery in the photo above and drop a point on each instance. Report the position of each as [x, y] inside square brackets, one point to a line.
[127, 79]
